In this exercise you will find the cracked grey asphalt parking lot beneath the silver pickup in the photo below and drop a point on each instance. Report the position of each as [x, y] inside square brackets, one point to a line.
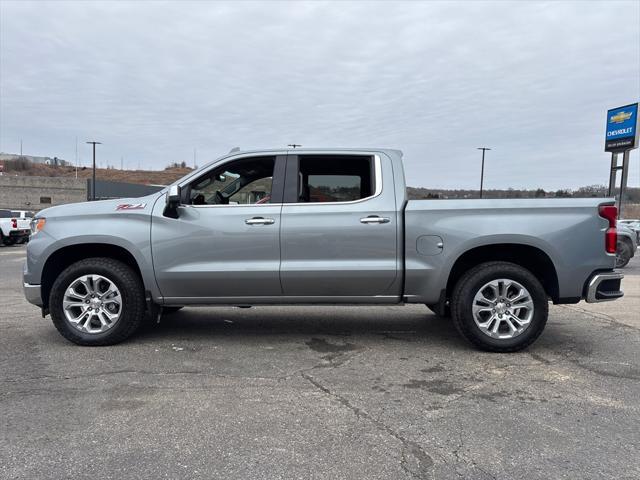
[317, 392]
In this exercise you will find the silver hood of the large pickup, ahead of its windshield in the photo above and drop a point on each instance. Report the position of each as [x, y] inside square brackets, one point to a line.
[137, 205]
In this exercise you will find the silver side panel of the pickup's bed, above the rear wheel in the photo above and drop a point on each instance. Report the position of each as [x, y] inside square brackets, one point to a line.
[551, 226]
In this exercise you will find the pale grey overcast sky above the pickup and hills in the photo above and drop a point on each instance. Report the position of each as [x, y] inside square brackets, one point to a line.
[154, 80]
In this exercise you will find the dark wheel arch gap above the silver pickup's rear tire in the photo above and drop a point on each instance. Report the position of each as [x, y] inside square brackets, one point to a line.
[532, 258]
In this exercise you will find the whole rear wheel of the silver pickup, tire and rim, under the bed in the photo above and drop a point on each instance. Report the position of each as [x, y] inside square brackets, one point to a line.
[500, 307]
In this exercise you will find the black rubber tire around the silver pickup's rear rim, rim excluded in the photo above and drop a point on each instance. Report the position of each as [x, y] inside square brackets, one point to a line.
[472, 281]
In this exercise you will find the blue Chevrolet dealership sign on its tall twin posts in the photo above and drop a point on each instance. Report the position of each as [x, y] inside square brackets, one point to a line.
[622, 136]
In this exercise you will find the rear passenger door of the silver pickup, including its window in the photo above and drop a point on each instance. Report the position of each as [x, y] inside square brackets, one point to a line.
[339, 232]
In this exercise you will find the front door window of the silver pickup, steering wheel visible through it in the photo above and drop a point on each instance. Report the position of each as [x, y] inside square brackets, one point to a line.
[243, 182]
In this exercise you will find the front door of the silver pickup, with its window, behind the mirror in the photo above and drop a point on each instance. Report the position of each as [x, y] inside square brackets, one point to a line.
[225, 241]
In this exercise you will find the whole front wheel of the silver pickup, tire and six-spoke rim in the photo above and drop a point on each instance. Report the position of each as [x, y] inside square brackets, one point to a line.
[97, 301]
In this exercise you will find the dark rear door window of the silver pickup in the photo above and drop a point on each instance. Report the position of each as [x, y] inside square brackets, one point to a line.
[328, 178]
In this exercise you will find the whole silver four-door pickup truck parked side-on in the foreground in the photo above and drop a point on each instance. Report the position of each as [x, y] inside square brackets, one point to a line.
[318, 227]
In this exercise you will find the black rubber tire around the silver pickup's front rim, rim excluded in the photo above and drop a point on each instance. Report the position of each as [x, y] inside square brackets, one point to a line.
[133, 301]
